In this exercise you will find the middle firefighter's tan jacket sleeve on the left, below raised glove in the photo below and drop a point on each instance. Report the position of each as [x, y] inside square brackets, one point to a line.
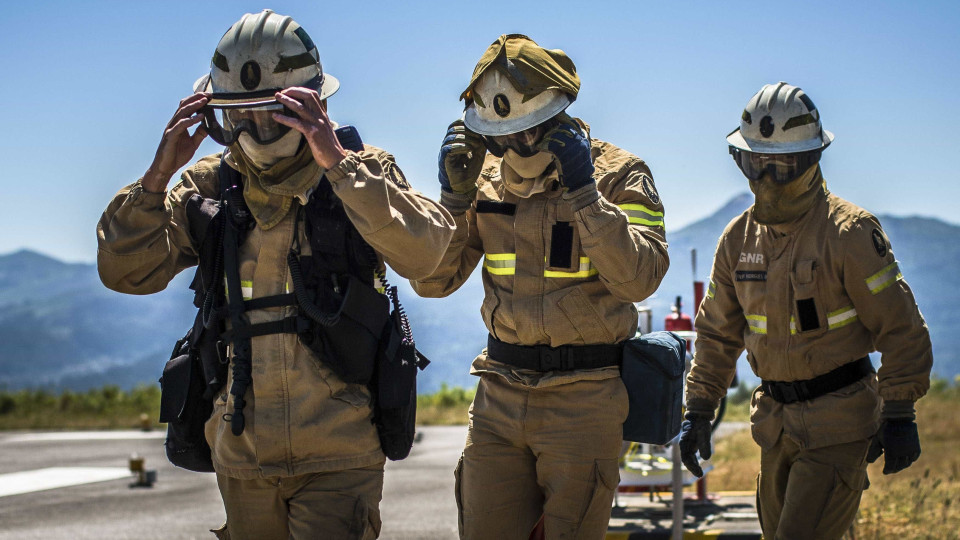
[461, 257]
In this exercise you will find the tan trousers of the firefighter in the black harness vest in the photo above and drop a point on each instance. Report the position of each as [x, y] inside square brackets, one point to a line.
[340, 504]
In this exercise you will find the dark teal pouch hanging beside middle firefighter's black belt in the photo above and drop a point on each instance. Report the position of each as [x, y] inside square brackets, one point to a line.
[652, 371]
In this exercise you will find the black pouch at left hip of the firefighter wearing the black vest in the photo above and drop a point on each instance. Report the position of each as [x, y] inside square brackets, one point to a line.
[184, 409]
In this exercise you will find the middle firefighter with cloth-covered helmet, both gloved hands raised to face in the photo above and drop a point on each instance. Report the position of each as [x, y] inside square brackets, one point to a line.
[570, 231]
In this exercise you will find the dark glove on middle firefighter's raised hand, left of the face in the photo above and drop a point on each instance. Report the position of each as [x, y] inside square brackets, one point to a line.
[461, 159]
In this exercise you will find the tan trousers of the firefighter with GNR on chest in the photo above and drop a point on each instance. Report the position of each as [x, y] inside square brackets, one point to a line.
[810, 494]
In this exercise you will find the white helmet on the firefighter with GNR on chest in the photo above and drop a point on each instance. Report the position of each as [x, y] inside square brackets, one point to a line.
[780, 119]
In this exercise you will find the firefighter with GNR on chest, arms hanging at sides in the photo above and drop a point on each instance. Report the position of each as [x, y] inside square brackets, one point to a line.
[808, 284]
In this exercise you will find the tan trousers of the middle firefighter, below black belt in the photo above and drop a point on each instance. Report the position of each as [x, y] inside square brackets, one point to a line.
[533, 451]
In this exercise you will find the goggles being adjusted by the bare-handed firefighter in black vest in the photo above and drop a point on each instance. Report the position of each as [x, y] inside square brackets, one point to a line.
[226, 124]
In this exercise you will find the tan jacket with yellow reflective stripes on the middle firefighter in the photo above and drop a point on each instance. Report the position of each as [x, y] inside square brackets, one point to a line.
[613, 251]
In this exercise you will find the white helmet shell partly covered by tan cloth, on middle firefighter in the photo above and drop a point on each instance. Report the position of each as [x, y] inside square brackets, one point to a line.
[498, 108]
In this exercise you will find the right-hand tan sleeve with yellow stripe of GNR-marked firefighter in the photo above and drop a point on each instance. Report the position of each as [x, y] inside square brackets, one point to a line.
[886, 307]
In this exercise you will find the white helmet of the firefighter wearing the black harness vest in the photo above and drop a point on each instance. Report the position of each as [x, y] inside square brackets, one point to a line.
[259, 55]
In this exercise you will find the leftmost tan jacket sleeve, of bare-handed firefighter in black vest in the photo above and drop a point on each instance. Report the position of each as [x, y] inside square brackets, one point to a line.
[143, 238]
